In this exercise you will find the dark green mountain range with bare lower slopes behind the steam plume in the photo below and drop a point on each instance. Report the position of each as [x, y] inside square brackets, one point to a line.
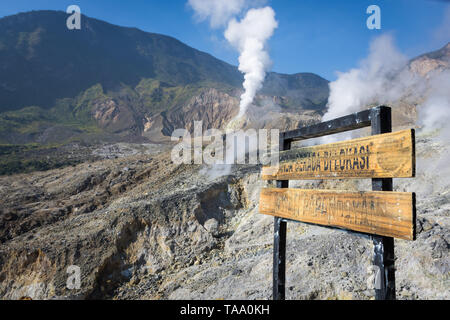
[106, 82]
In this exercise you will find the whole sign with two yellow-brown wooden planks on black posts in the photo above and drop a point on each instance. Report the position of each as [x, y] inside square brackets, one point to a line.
[382, 213]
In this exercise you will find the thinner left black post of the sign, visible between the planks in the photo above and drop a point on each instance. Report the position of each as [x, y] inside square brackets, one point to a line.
[279, 240]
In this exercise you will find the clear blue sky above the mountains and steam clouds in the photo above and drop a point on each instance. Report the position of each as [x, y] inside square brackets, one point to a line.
[320, 36]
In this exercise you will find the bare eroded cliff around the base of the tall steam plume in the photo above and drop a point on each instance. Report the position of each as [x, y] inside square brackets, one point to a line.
[215, 109]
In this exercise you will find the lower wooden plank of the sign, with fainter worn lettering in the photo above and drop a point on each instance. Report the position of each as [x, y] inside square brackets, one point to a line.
[376, 212]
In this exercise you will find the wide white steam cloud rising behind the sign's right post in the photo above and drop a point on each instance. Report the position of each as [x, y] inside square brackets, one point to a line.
[385, 77]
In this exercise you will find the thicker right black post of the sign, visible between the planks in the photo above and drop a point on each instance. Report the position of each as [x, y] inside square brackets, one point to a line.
[384, 257]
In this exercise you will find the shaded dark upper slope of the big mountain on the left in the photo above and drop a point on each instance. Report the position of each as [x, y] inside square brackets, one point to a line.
[41, 60]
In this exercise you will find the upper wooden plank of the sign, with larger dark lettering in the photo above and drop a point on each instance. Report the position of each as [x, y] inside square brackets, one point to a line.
[389, 155]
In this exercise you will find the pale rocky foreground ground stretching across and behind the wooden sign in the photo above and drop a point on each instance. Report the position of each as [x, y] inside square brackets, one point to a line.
[160, 231]
